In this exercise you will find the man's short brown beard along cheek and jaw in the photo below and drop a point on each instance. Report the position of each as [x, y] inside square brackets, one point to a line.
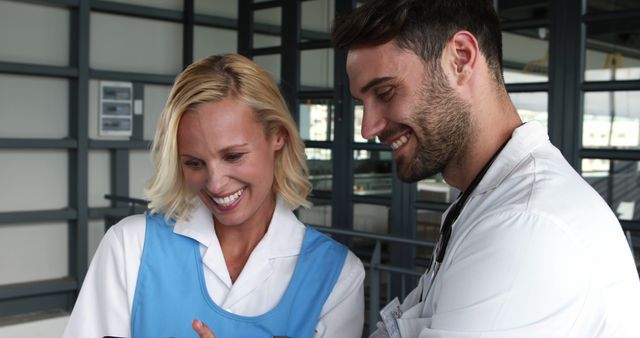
[442, 126]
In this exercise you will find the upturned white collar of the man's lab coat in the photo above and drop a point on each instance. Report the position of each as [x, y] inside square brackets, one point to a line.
[523, 141]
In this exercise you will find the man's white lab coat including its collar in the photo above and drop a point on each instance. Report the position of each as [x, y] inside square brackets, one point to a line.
[536, 252]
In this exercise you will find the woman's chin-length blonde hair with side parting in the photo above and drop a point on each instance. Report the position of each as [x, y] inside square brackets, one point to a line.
[211, 80]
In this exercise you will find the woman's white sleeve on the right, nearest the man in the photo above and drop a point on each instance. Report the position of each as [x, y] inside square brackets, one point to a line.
[343, 313]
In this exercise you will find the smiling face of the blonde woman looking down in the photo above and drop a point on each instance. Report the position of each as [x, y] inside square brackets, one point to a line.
[228, 161]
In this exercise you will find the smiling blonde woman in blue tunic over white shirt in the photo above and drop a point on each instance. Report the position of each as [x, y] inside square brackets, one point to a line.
[220, 245]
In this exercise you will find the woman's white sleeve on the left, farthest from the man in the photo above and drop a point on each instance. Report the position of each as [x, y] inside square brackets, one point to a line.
[103, 306]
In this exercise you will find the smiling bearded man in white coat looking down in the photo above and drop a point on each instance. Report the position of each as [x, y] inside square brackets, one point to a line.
[529, 248]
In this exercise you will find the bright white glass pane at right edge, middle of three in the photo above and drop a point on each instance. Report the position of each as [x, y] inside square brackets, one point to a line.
[611, 120]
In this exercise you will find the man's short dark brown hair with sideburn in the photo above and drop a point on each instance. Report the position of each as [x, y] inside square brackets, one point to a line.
[422, 26]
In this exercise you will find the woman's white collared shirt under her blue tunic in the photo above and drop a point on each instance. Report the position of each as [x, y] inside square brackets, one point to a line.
[104, 305]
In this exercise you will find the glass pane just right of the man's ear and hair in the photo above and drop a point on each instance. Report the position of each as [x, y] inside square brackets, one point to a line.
[525, 55]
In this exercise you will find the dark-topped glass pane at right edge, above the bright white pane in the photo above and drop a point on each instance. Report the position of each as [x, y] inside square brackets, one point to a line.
[612, 51]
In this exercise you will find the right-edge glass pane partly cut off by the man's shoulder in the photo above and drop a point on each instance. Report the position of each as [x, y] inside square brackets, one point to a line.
[618, 182]
